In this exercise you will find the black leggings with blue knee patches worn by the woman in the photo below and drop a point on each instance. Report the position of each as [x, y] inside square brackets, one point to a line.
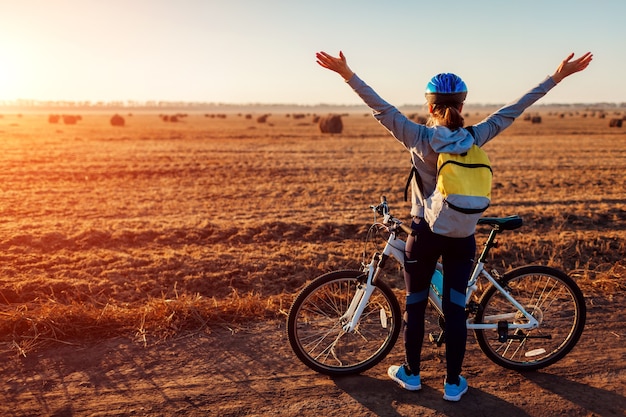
[423, 249]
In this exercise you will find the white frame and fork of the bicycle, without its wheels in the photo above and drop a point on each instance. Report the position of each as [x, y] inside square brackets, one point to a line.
[395, 248]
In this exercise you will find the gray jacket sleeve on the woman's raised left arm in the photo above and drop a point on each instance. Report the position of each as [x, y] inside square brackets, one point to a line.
[409, 133]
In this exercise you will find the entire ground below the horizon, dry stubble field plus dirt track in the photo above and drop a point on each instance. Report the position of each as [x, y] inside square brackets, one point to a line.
[147, 269]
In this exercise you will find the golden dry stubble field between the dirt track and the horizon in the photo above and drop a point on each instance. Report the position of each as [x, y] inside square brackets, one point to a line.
[154, 228]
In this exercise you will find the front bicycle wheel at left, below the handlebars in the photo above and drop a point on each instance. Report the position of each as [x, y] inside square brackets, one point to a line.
[315, 325]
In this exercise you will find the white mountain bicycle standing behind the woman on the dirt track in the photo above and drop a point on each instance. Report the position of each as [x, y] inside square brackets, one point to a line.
[347, 321]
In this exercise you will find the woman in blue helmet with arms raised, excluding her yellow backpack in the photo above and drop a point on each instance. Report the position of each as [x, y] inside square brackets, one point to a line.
[445, 132]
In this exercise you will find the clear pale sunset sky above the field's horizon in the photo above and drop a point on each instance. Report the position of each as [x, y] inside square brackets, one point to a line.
[263, 51]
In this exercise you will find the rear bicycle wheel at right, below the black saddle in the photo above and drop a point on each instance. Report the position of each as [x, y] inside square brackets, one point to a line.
[552, 298]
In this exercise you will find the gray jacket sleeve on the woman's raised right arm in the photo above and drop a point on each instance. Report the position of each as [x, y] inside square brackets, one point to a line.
[504, 117]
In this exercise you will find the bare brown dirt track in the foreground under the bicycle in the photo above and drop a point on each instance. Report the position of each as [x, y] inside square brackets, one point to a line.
[251, 371]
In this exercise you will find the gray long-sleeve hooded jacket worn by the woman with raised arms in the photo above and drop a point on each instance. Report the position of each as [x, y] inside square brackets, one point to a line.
[425, 143]
